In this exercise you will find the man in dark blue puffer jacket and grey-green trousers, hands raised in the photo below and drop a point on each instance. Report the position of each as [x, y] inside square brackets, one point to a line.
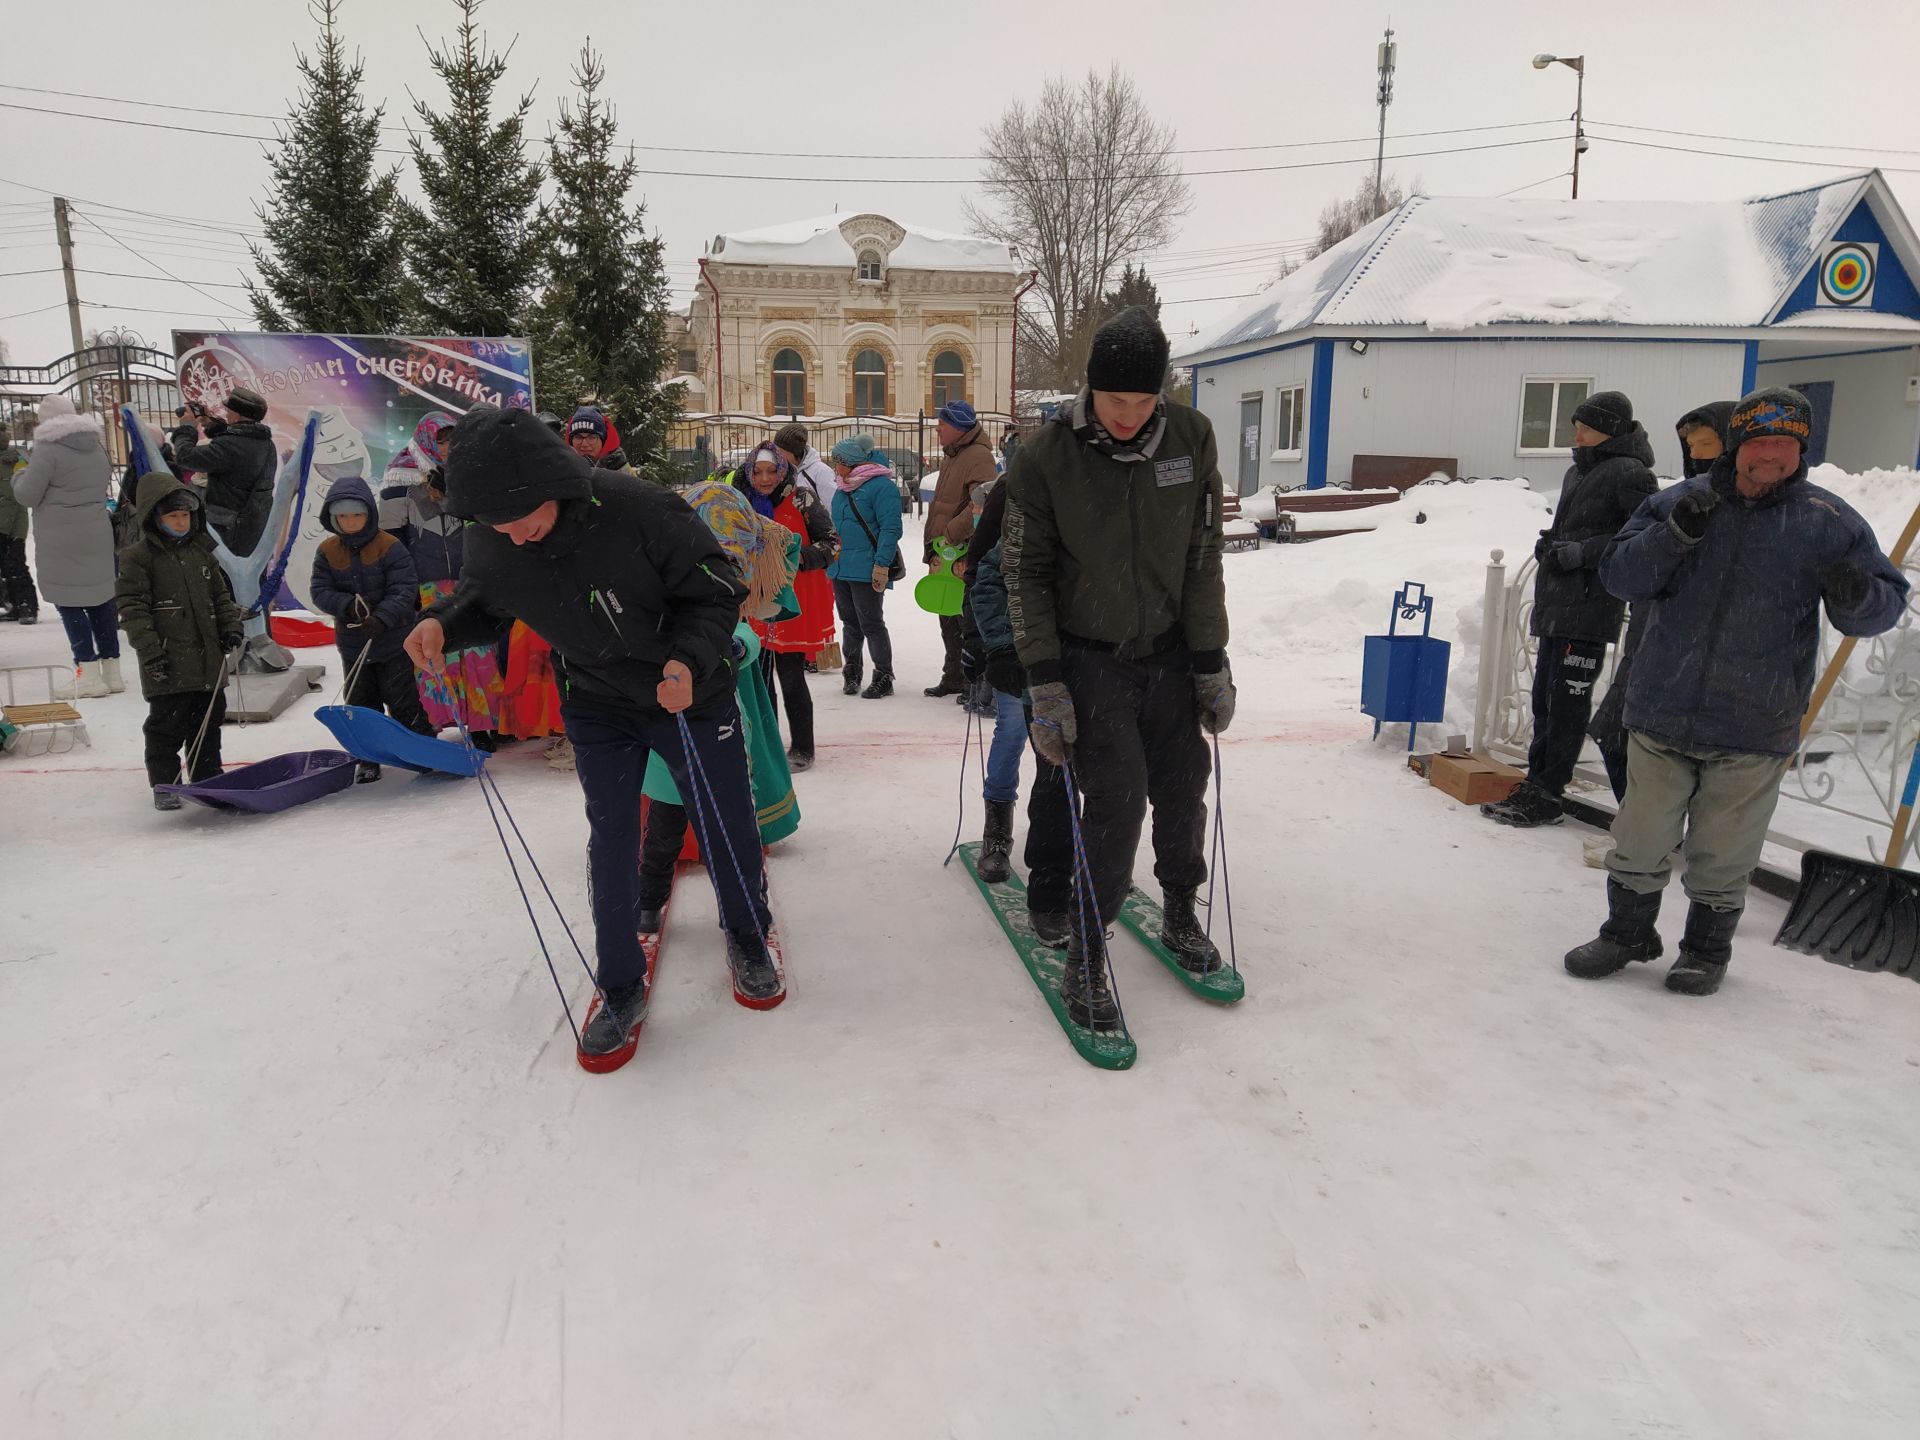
[1733, 569]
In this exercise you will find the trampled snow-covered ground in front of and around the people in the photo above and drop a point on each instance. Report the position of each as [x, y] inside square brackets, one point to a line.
[295, 1143]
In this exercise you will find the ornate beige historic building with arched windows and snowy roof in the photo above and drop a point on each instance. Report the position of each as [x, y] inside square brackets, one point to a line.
[855, 316]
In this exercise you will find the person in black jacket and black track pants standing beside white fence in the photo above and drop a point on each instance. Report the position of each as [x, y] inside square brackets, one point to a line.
[1575, 619]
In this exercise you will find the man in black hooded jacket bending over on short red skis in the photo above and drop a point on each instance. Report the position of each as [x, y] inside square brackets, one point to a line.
[640, 606]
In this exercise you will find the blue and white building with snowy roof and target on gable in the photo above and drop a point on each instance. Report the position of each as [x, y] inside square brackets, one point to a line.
[1470, 329]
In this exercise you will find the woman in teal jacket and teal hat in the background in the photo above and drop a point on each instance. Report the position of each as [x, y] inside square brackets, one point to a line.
[867, 512]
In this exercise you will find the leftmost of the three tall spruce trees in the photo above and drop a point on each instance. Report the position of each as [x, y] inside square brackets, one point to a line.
[333, 252]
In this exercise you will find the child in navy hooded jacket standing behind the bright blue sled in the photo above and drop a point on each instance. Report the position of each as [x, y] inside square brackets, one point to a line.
[364, 577]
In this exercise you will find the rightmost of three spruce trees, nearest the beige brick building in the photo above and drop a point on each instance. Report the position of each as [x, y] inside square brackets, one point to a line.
[600, 327]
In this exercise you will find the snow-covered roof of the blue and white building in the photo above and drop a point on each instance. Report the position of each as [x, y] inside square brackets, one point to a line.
[1458, 266]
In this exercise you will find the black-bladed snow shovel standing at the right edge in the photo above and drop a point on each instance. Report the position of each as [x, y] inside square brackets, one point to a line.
[1856, 913]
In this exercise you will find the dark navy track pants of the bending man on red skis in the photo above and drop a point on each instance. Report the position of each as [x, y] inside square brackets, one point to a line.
[612, 748]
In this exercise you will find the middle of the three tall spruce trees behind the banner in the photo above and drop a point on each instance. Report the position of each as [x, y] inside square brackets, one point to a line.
[473, 252]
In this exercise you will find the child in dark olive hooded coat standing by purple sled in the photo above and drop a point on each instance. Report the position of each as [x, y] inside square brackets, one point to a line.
[181, 621]
